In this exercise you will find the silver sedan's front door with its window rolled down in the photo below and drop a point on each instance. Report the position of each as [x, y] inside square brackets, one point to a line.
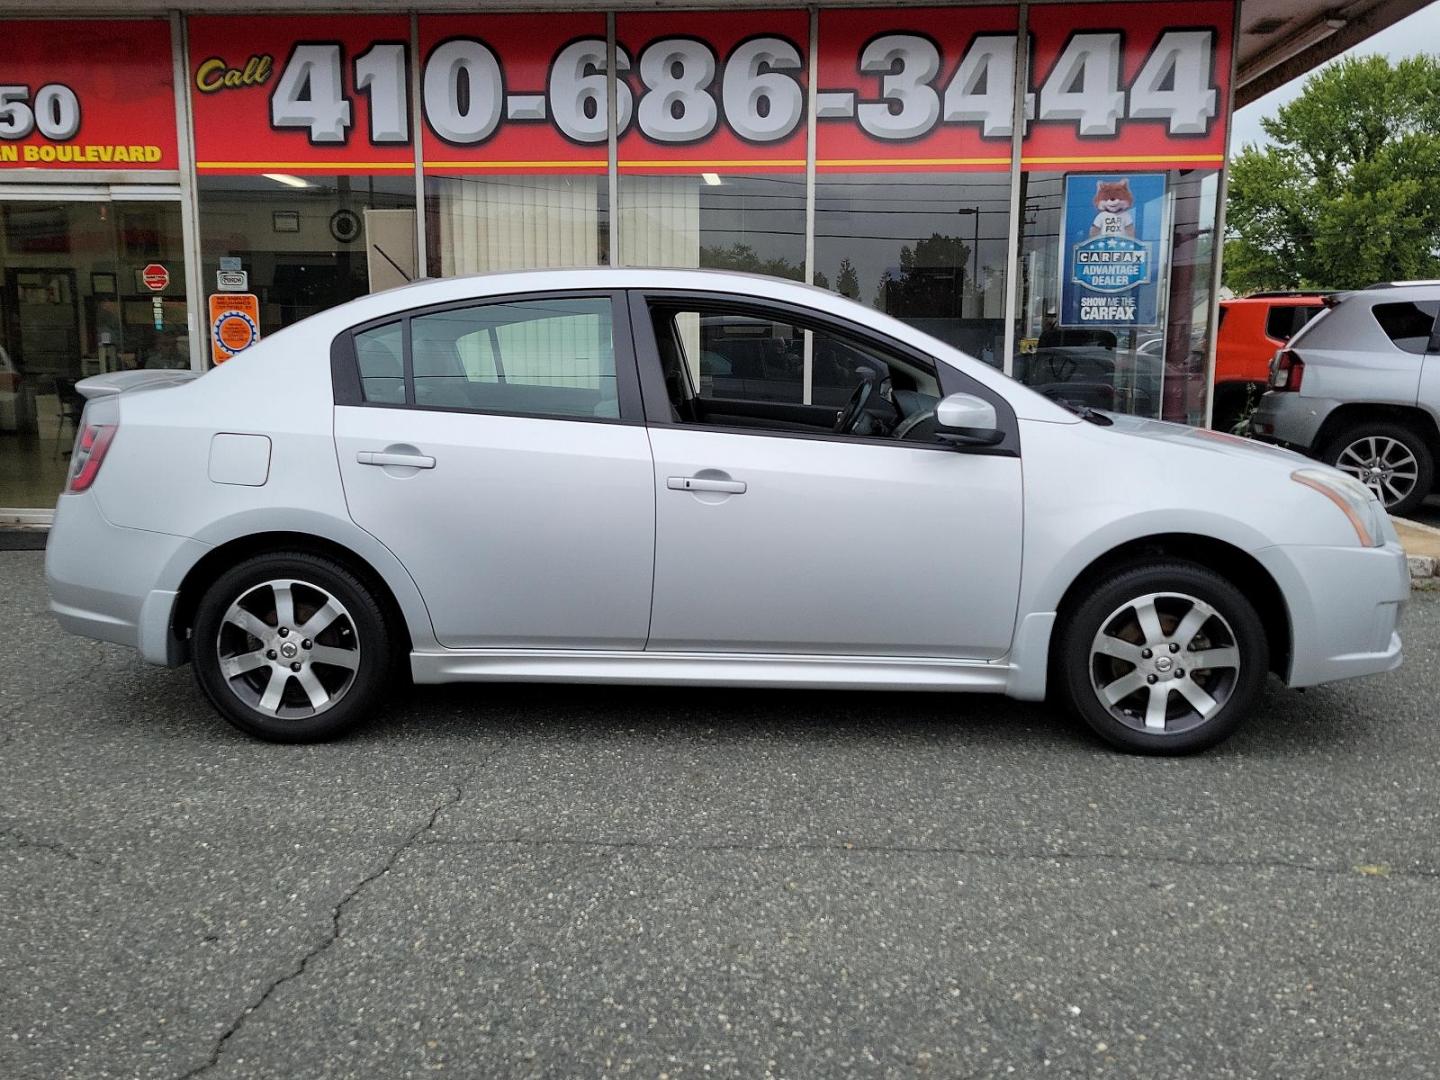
[775, 535]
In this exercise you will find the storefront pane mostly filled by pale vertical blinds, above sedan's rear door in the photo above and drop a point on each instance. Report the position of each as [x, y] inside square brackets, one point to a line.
[477, 224]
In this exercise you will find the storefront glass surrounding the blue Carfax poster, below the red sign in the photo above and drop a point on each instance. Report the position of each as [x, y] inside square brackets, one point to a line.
[1156, 371]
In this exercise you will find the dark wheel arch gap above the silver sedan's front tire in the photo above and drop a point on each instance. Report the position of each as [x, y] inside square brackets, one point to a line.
[1233, 564]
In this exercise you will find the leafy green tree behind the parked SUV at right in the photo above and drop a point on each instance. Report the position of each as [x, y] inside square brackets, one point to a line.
[1349, 192]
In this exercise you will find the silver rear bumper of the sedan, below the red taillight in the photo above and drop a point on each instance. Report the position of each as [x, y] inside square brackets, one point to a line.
[116, 584]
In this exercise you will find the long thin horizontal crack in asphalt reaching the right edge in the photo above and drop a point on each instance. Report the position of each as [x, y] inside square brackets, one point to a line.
[948, 850]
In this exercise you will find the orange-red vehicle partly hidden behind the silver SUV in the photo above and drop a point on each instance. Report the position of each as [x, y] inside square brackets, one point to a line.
[1252, 330]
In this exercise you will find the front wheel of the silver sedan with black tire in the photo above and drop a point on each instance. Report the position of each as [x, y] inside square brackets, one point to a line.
[1081, 673]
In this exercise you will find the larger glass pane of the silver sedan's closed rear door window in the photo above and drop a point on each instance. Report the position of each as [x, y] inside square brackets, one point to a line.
[539, 358]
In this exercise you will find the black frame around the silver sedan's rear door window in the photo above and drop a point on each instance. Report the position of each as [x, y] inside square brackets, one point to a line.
[345, 364]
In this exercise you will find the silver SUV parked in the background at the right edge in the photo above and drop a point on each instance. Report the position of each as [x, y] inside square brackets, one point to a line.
[1359, 388]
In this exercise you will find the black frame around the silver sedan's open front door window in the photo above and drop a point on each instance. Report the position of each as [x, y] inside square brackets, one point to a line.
[657, 400]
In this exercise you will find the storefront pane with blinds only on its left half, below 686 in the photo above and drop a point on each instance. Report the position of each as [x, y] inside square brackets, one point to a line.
[752, 224]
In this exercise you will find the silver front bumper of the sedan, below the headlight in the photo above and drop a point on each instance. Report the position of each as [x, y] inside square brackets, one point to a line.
[1346, 606]
